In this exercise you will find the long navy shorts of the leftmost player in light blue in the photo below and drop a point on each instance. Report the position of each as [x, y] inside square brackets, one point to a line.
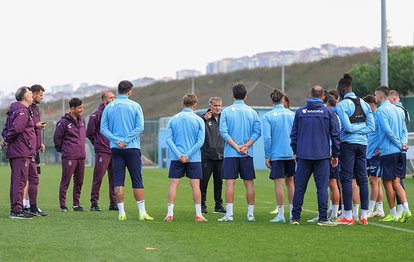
[131, 159]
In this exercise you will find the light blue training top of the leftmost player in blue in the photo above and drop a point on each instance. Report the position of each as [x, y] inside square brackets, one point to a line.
[123, 121]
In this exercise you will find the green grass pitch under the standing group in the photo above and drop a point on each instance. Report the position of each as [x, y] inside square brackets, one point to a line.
[99, 236]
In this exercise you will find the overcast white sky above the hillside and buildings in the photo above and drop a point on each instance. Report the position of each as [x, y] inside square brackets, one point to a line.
[104, 41]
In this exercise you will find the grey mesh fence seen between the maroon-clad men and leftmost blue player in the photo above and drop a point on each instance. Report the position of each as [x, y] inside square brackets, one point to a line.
[149, 141]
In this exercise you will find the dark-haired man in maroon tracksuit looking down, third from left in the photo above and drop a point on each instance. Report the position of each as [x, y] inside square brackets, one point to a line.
[69, 140]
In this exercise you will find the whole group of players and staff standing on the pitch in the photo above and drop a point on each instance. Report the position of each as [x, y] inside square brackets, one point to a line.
[336, 141]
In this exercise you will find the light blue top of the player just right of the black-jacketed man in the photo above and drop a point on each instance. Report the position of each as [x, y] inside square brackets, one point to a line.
[241, 123]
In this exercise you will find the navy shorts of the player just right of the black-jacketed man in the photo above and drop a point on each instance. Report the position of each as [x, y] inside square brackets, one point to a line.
[233, 166]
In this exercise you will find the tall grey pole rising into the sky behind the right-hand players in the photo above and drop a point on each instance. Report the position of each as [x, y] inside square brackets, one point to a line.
[384, 47]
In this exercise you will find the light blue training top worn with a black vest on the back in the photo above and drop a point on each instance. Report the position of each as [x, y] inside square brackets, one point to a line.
[355, 133]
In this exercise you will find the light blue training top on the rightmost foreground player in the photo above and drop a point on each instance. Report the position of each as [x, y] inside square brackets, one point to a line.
[392, 131]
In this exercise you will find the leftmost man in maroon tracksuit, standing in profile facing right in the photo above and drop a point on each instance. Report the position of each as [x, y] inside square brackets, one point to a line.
[20, 140]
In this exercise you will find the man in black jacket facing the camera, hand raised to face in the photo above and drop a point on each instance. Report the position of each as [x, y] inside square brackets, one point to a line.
[212, 155]
